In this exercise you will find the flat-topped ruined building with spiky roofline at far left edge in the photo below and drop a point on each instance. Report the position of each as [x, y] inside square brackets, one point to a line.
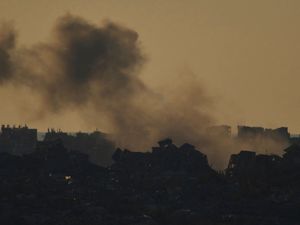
[17, 140]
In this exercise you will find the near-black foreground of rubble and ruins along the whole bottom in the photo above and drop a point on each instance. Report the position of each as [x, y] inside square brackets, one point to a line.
[170, 185]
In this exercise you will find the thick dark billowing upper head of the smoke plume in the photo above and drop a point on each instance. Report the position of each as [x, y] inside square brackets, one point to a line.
[82, 58]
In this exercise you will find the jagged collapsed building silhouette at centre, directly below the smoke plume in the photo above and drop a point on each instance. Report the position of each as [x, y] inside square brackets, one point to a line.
[167, 157]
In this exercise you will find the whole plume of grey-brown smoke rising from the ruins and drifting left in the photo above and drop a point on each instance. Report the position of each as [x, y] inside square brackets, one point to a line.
[96, 69]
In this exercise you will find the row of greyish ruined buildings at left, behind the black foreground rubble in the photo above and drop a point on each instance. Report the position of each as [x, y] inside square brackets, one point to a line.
[23, 140]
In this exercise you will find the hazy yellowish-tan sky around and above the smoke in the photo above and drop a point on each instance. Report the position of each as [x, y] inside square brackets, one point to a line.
[247, 53]
